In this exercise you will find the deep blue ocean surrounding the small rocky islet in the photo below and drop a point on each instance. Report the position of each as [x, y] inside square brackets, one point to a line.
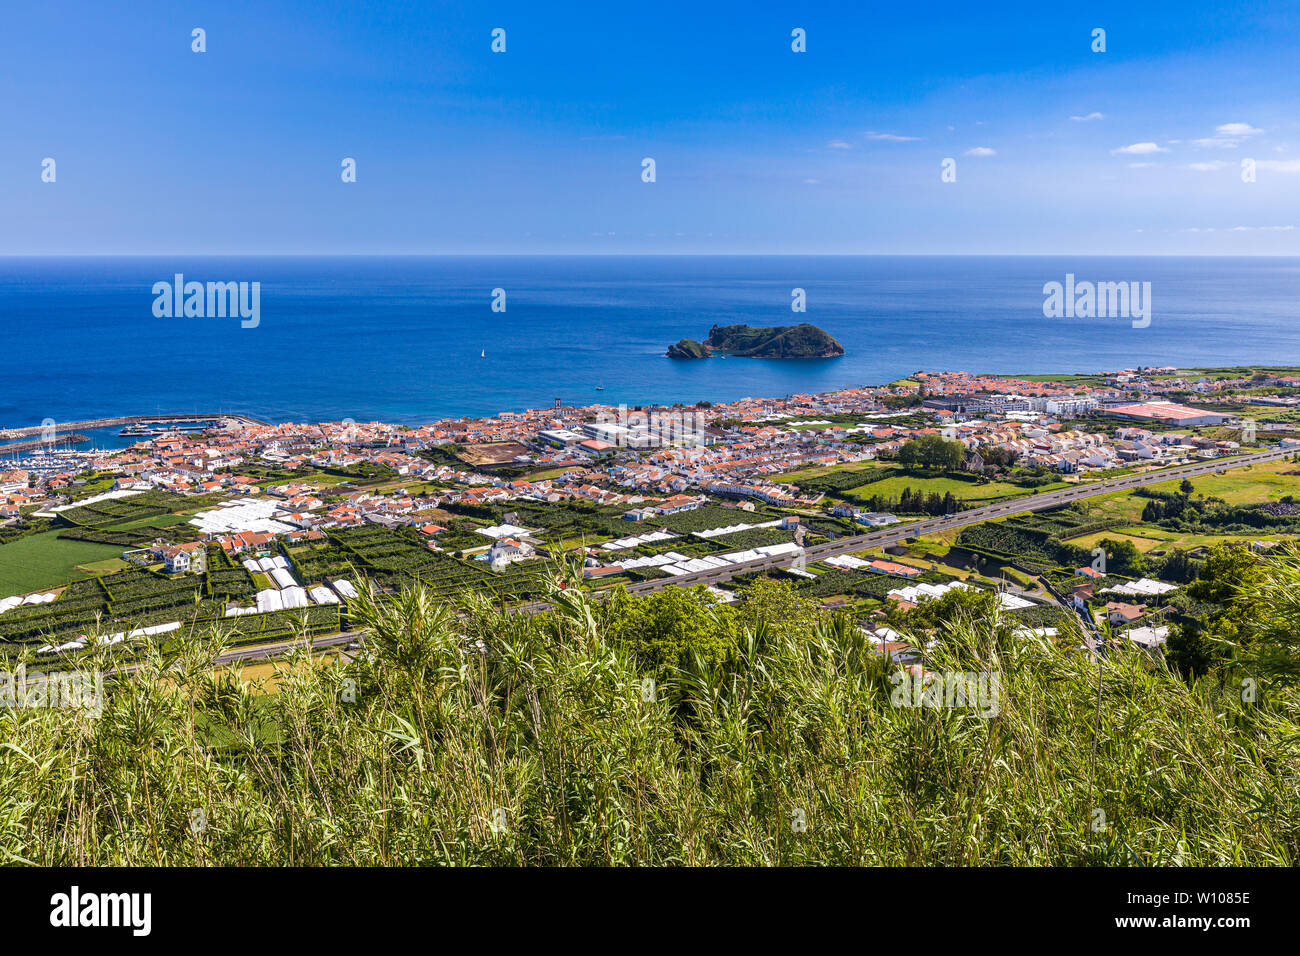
[411, 340]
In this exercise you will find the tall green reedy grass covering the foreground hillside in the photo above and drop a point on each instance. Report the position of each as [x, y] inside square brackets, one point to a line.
[469, 736]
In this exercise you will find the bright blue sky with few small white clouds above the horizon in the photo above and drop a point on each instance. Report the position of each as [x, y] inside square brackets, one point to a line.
[1138, 150]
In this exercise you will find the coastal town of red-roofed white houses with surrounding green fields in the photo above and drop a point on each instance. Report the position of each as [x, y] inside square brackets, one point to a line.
[274, 527]
